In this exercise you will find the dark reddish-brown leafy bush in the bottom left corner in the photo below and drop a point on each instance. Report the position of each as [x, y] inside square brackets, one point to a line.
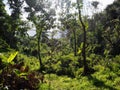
[15, 77]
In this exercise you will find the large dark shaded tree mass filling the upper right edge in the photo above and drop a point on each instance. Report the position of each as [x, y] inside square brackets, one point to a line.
[105, 29]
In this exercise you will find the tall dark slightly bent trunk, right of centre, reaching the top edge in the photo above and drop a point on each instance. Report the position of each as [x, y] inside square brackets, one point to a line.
[84, 41]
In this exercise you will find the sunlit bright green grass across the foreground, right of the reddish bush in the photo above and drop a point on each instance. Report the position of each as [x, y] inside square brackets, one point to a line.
[102, 79]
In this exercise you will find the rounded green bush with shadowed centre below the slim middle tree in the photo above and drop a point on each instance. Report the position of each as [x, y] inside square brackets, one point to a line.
[67, 65]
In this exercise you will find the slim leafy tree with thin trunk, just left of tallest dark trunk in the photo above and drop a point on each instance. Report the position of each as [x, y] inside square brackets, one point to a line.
[70, 25]
